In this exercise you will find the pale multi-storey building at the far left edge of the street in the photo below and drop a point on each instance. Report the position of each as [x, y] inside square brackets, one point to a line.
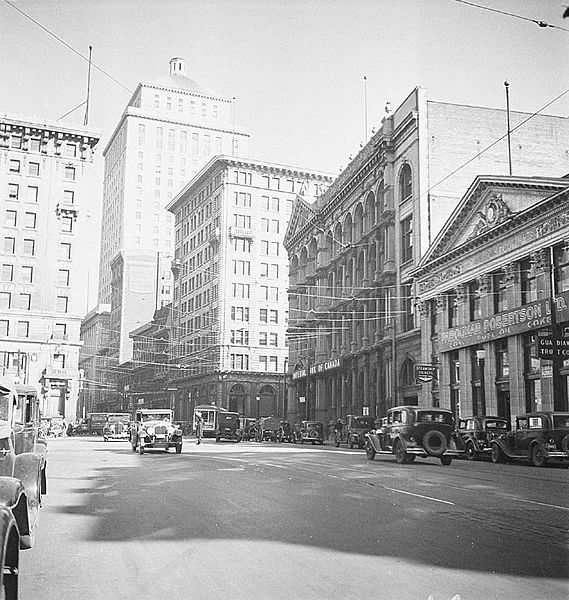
[43, 284]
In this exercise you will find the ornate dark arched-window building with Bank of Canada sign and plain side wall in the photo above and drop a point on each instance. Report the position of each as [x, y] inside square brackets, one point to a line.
[355, 337]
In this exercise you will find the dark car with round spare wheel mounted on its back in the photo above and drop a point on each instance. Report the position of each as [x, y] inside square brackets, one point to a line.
[413, 431]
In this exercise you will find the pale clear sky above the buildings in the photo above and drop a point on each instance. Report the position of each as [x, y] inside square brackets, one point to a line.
[295, 67]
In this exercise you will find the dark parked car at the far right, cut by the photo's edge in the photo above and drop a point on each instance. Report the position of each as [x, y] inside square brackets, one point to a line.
[541, 437]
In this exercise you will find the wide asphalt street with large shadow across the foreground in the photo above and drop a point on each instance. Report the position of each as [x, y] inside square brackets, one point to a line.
[266, 521]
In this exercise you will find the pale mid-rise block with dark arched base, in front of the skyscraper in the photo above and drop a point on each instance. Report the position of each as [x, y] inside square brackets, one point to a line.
[230, 308]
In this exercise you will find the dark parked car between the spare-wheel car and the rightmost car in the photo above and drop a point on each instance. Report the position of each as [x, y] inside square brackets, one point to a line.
[475, 433]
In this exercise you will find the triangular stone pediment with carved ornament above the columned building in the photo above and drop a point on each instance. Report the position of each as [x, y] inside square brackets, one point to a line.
[489, 203]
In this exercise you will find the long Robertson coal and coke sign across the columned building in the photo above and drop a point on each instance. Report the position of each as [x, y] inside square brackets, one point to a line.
[528, 317]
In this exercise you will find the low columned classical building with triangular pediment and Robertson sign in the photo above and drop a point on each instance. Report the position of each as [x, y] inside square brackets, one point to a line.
[495, 283]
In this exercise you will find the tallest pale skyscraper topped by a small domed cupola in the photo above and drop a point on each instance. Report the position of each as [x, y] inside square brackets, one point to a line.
[170, 128]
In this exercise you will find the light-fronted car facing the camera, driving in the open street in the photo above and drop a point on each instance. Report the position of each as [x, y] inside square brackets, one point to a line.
[153, 430]
